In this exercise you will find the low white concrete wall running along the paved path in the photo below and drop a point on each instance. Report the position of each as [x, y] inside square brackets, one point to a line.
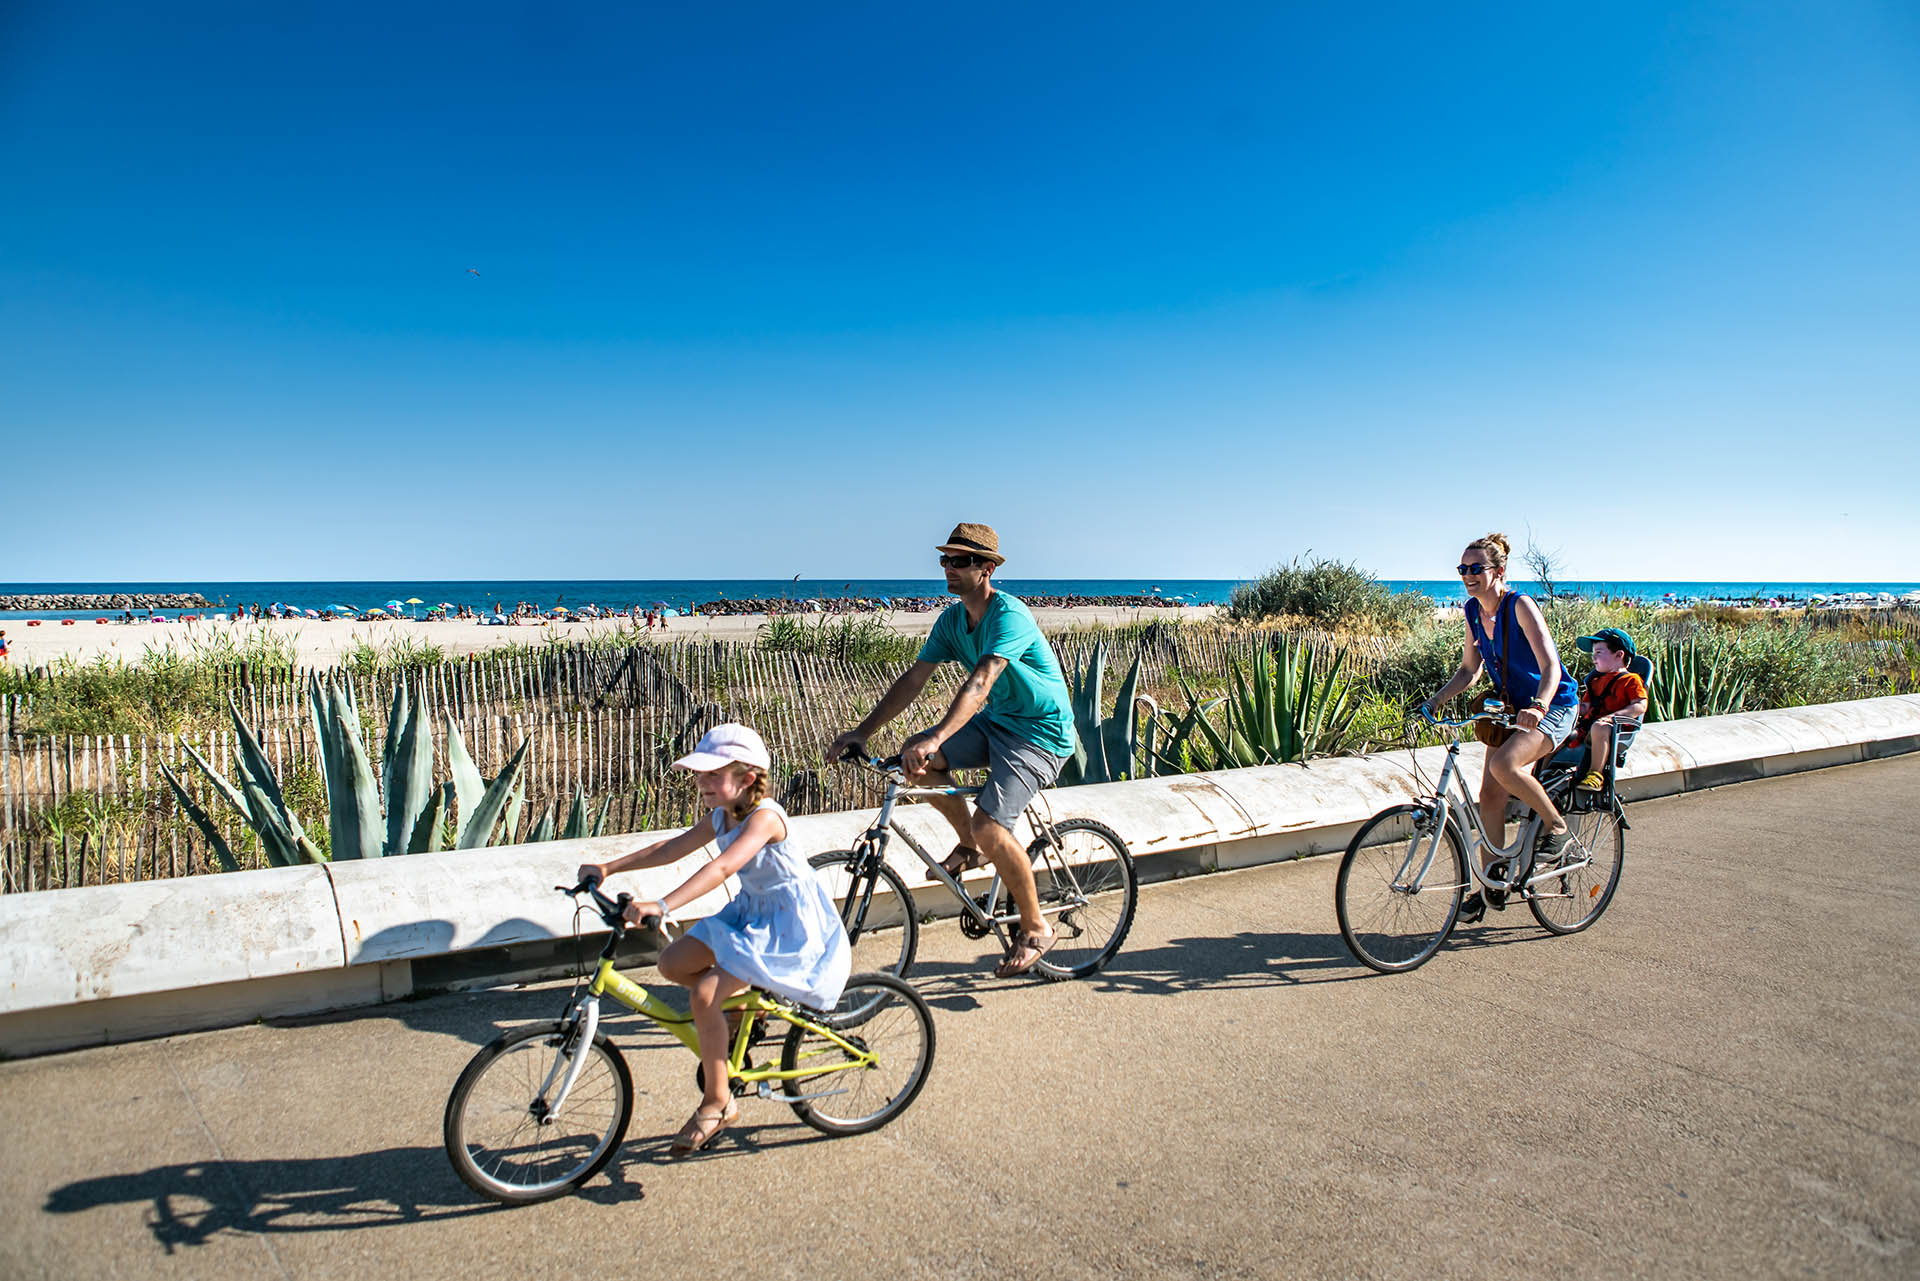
[145, 959]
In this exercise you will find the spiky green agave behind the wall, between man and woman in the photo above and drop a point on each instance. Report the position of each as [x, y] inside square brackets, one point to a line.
[1285, 712]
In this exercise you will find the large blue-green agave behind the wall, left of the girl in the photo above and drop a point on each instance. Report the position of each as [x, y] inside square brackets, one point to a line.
[414, 817]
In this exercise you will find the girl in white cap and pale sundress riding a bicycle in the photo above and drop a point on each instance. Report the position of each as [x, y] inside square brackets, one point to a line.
[780, 932]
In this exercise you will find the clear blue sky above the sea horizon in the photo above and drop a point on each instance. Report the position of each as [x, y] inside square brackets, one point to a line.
[1164, 291]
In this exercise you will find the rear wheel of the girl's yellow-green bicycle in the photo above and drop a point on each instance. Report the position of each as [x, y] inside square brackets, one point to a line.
[880, 1015]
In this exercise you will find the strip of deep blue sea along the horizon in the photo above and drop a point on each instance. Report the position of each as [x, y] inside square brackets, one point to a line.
[623, 594]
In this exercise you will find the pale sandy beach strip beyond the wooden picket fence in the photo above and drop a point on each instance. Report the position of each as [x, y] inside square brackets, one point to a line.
[322, 644]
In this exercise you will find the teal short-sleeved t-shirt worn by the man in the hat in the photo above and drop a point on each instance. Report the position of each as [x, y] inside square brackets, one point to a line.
[1030, 700]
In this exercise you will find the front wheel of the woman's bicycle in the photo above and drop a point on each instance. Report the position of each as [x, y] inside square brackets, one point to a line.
[1385, 925]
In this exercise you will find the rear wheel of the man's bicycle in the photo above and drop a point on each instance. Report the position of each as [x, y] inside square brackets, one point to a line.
[1093, 877]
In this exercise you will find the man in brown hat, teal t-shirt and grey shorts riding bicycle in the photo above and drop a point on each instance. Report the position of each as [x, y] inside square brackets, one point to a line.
[1011, 717]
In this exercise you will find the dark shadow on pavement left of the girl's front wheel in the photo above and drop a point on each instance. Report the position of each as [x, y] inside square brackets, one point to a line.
[193, 1203]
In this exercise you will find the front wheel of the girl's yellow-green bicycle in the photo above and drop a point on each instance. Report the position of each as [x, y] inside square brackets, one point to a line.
[500, 1136]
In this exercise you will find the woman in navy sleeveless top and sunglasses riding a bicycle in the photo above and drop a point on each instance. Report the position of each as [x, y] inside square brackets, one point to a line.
[1508, 637]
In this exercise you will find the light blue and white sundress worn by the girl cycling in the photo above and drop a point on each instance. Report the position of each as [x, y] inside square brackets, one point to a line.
[780, 932]
